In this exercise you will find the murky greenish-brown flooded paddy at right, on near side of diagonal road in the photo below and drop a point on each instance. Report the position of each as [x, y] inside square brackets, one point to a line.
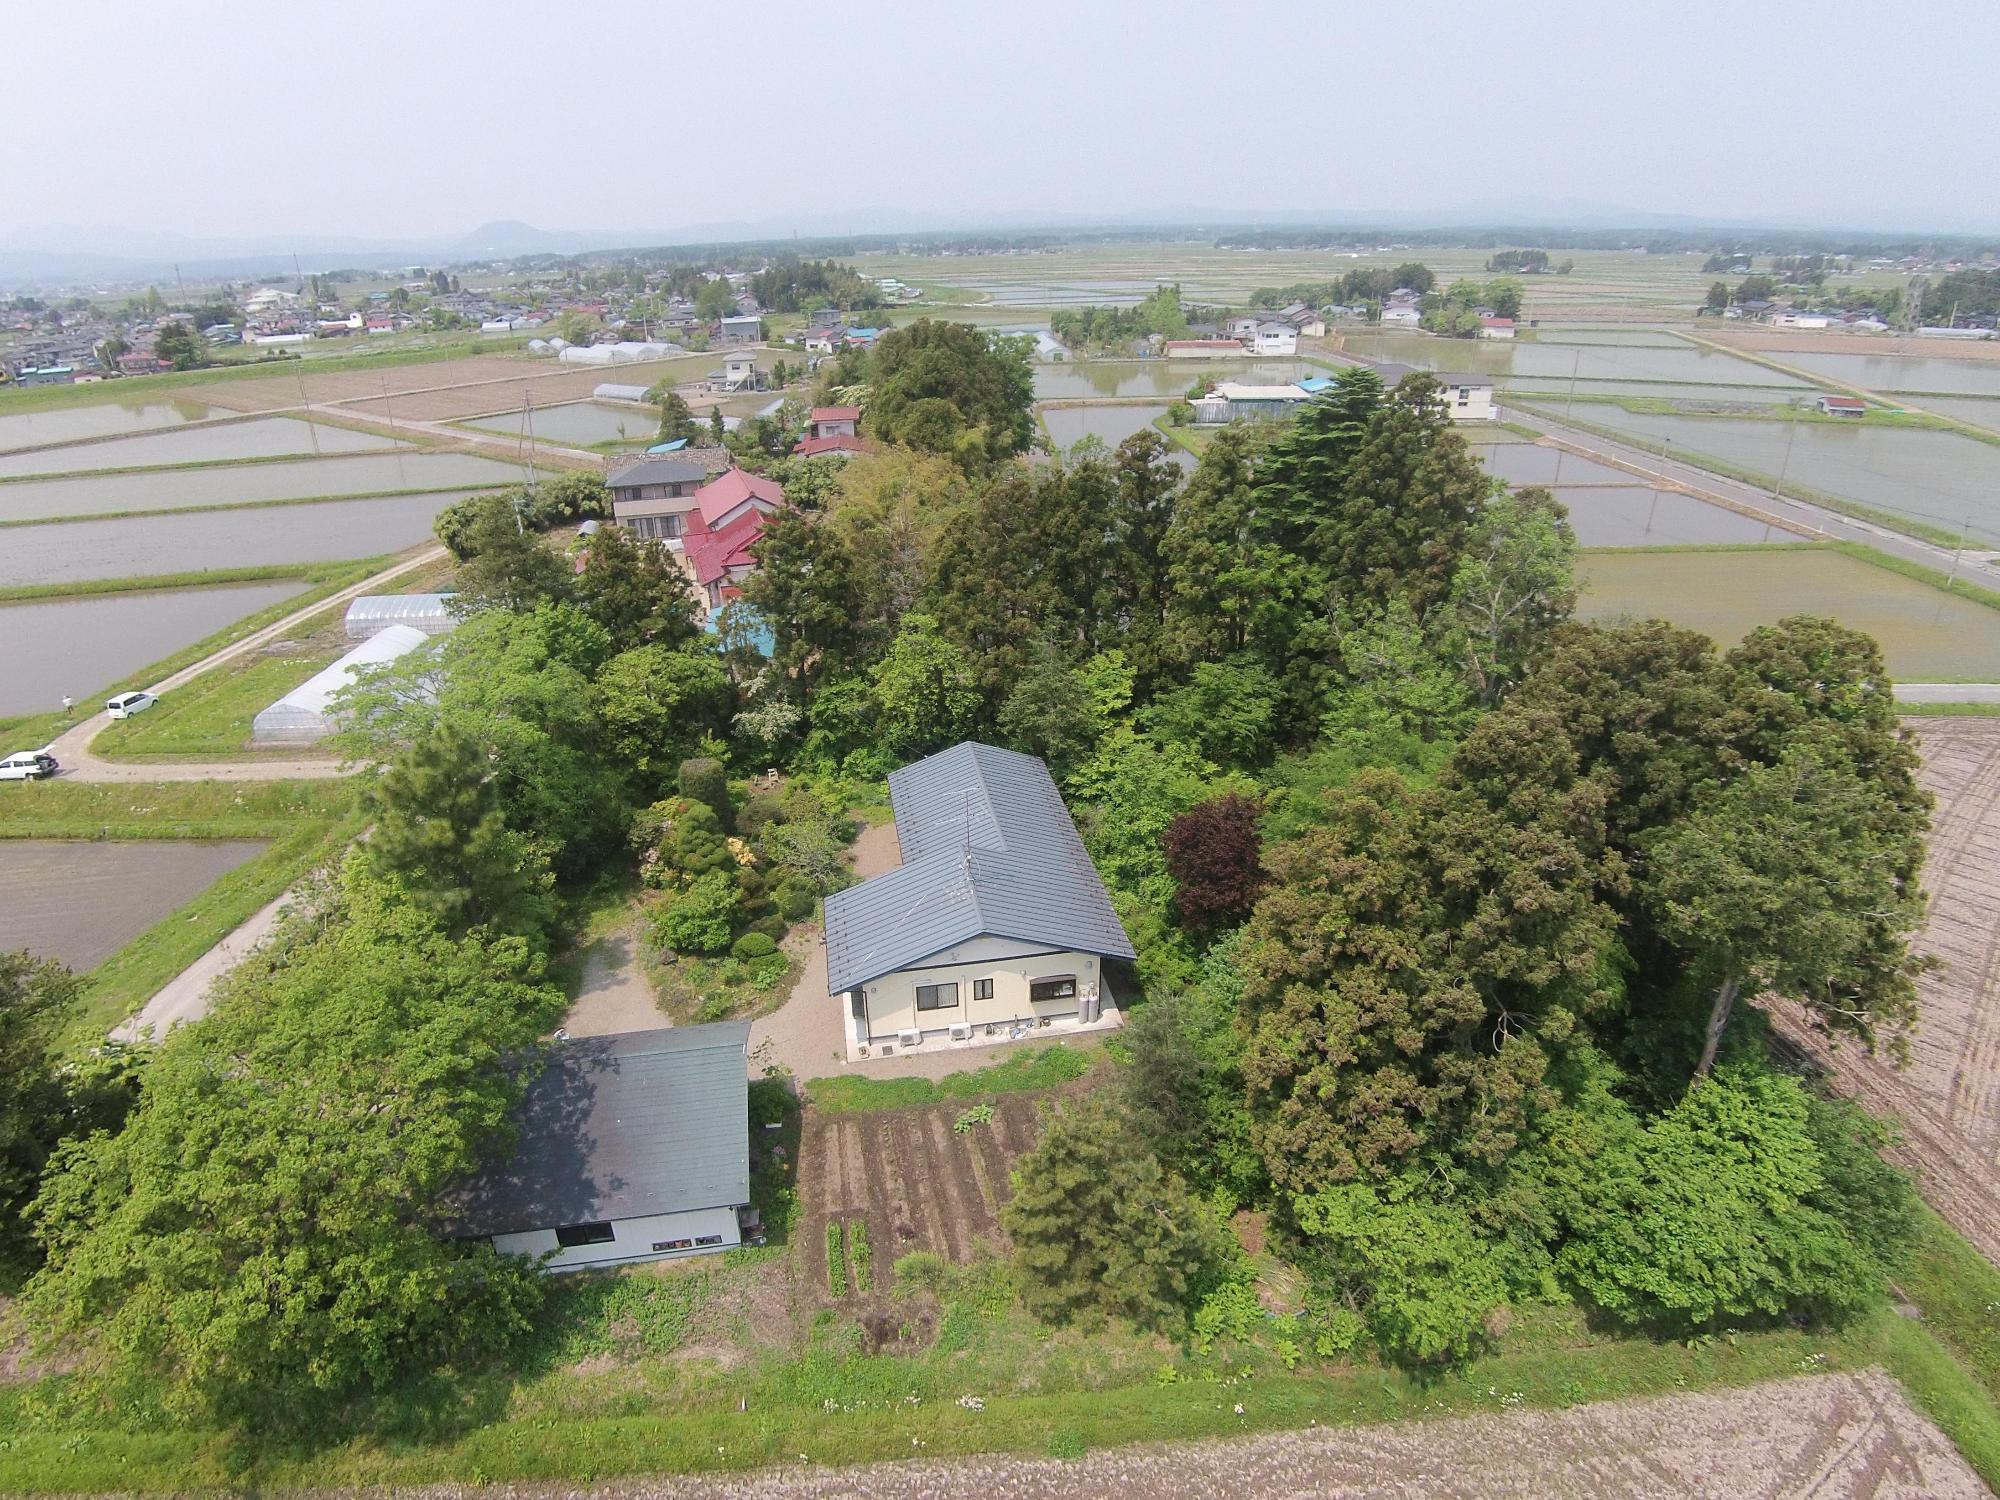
[1927, 635]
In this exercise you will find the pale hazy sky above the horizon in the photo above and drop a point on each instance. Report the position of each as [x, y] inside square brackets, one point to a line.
[429, 117]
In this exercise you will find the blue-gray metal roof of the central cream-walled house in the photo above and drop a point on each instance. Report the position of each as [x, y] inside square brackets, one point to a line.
[987, 851]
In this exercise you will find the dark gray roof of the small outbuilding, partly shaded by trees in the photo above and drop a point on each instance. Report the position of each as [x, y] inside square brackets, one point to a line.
[621, 1127]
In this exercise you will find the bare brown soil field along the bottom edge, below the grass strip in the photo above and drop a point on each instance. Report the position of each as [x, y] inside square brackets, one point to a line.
[1845, 1437]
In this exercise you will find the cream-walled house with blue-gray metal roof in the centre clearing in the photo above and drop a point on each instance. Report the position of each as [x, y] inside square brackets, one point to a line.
[993, 929]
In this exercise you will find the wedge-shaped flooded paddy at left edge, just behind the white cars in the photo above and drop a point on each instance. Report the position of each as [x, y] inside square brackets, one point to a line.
[83, 647]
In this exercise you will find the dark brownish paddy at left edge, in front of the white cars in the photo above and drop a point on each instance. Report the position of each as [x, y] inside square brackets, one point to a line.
[81, 903]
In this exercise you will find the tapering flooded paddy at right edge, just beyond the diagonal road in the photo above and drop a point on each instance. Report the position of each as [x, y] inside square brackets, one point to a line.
[1945, 479]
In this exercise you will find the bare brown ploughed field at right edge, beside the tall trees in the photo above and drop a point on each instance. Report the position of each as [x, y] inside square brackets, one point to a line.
[1949, 1097]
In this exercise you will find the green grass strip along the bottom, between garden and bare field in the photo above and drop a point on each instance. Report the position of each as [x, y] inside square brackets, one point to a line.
[611, 1389]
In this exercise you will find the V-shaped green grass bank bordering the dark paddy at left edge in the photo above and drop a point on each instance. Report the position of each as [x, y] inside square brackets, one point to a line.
[307, 823]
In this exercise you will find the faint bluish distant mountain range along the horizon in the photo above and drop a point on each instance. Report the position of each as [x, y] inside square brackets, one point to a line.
[85, 257]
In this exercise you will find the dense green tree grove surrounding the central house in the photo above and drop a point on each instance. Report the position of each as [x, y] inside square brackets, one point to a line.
[1455, 917]
